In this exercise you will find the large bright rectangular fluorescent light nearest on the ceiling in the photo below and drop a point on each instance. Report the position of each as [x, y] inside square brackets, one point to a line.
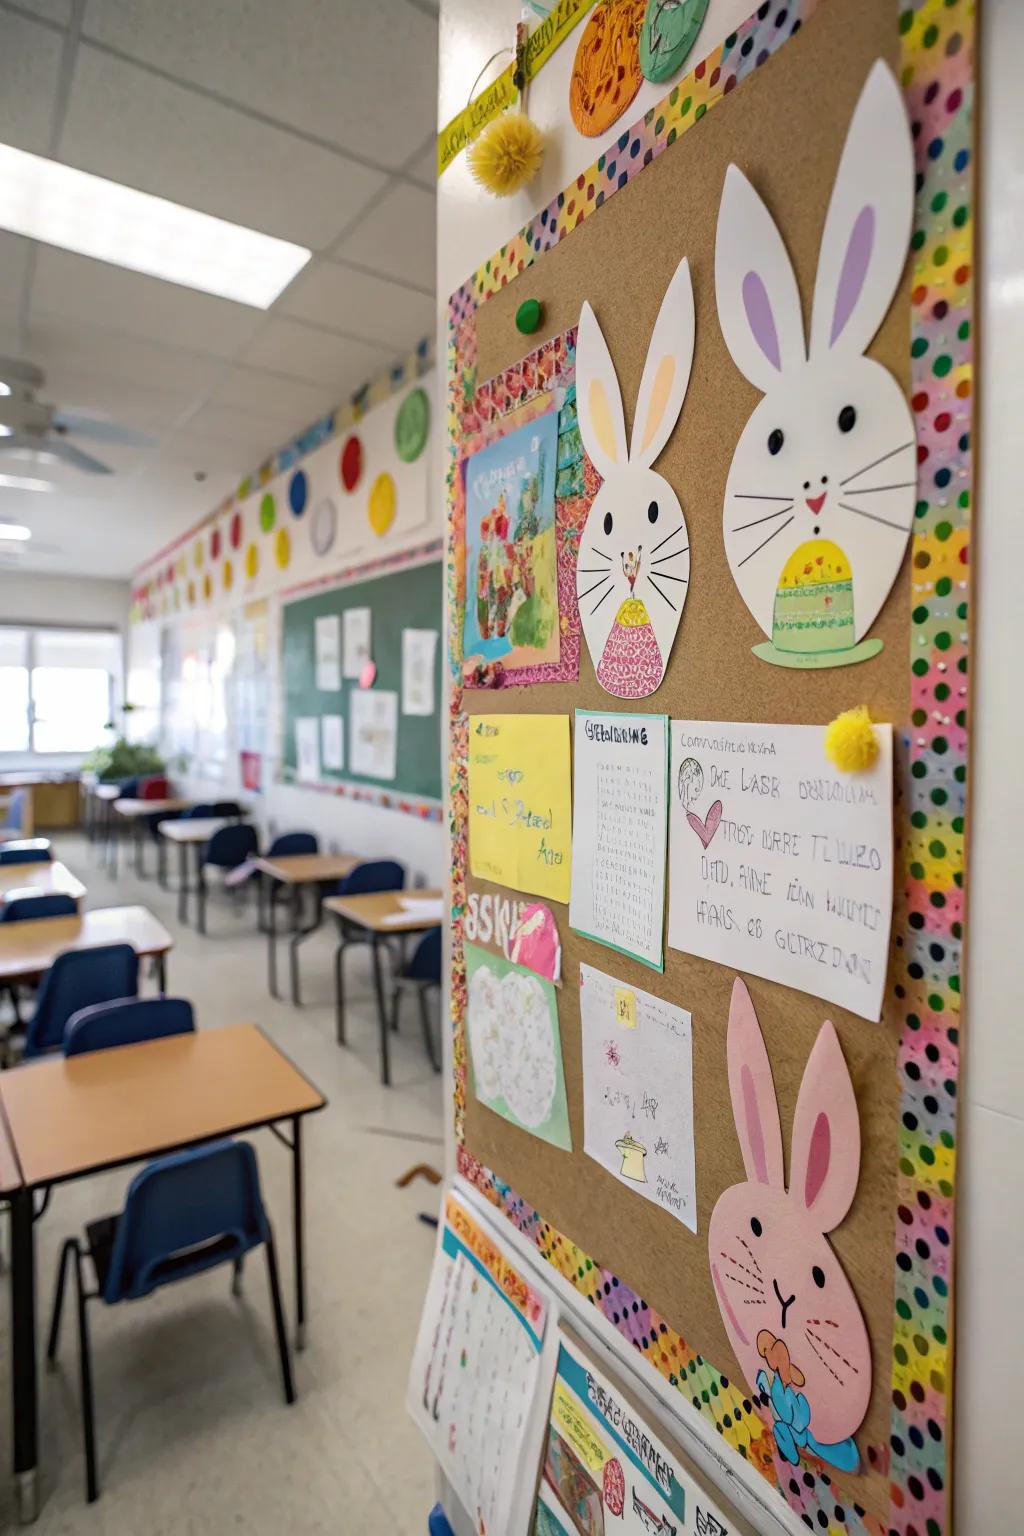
[101, 219]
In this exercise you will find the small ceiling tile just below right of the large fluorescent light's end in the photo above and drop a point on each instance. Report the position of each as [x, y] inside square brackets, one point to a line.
[360, 305]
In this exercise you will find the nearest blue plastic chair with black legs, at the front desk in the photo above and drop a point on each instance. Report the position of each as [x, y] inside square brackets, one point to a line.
[183, 1216]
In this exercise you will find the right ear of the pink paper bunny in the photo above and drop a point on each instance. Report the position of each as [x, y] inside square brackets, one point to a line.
[825, 1134]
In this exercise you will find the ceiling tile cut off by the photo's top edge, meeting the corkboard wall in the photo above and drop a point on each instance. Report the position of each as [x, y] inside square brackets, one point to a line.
[362, 78]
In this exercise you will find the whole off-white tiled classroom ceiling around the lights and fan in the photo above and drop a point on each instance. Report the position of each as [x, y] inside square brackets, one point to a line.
[311, 121]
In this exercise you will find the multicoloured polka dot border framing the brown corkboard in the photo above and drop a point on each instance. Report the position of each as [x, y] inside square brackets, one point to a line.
[937, 47]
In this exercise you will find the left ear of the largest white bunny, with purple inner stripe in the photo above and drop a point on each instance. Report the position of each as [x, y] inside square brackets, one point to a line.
[756, 290]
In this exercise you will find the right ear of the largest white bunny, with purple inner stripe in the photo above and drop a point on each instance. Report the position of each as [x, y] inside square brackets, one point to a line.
[868, 225]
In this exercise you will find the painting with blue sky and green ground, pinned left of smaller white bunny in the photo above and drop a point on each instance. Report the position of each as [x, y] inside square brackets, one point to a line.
[512, 615]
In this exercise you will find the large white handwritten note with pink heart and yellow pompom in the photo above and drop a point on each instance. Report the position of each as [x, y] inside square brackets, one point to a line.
[781, 866]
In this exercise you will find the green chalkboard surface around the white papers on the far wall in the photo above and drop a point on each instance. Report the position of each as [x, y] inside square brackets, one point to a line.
[406, 598]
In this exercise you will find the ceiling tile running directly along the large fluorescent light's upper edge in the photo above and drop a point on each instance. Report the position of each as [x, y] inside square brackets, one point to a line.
[136, 128]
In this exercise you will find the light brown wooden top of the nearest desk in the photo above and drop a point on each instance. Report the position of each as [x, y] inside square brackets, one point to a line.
[71, 1116]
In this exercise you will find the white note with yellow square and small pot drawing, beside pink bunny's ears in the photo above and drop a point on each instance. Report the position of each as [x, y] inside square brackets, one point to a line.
[639, 1093]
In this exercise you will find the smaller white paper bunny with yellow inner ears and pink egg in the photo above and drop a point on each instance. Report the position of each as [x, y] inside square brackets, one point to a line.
[633, 571]
